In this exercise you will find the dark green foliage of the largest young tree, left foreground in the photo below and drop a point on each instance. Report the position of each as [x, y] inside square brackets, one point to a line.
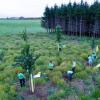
[26, 59]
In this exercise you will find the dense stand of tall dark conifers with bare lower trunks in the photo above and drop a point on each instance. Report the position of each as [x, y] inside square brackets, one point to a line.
[75, 19]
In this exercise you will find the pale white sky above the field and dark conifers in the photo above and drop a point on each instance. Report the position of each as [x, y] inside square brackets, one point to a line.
[29, 8]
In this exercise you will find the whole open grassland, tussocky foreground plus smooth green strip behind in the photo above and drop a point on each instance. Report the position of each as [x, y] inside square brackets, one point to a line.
[55, 87]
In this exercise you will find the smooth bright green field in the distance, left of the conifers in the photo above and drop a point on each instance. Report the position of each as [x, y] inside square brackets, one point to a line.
[17, 26]
